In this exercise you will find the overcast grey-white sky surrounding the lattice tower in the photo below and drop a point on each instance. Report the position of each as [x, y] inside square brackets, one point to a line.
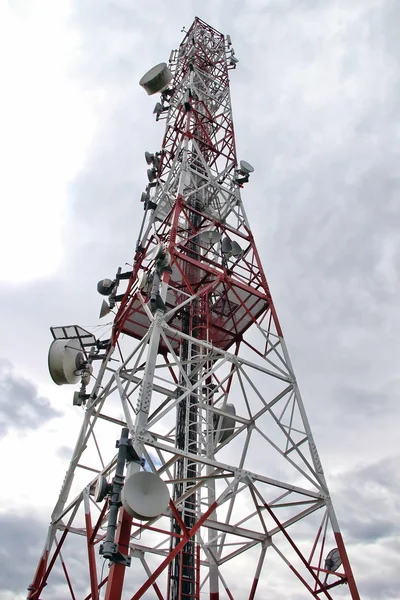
[316, 107]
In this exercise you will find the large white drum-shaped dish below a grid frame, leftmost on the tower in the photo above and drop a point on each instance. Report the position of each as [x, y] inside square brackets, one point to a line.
[65, 361]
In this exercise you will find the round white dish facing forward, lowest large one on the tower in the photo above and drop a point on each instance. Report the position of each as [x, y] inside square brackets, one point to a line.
[145, 495]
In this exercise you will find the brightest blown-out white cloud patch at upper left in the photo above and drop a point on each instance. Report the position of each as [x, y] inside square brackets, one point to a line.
[46, 125]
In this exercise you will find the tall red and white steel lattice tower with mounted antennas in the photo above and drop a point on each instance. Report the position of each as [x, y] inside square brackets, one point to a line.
[221, 482]
